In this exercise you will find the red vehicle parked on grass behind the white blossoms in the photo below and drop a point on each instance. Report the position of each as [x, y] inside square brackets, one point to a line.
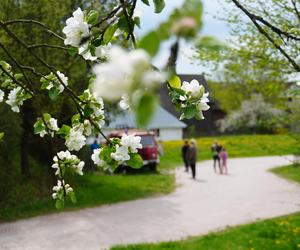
[149, 152]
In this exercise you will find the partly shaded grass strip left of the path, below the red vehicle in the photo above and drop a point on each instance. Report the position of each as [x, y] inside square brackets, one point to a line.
[94, 190]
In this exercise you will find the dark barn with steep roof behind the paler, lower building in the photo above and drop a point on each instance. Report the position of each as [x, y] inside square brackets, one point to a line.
[195, 127]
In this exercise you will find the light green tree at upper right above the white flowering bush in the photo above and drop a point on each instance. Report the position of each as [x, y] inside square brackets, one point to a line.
[254, 60]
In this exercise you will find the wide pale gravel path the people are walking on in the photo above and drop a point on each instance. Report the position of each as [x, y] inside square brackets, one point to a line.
[197, 207]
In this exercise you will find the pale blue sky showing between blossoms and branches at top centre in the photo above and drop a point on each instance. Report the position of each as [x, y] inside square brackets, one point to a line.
[211, 26]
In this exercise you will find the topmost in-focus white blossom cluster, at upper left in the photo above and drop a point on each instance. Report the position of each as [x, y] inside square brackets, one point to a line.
[76, 29]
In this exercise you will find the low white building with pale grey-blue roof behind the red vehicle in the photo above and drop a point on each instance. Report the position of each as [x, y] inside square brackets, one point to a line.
[166, 125]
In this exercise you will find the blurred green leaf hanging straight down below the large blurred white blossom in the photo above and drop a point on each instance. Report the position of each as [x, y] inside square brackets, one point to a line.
[145, 109]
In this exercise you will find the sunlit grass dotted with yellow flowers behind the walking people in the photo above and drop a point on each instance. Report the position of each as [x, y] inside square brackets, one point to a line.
[236, 145]
